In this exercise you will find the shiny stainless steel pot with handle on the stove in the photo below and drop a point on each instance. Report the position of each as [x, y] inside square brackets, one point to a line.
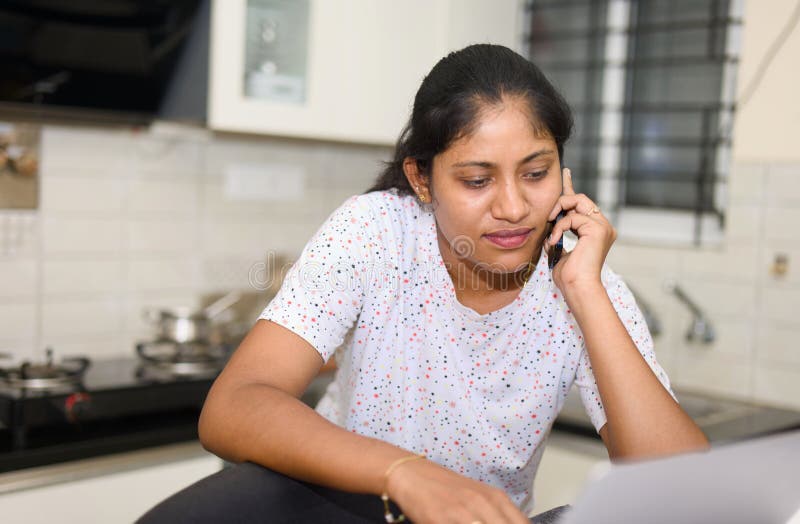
[184, 325]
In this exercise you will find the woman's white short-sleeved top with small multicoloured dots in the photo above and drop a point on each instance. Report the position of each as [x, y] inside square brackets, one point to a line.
[475, 393]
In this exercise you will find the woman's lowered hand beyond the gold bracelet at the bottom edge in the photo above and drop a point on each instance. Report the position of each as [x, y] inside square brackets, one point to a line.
[430, 493]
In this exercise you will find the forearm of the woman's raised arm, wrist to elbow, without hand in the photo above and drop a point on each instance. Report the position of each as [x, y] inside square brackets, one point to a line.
[642, 417]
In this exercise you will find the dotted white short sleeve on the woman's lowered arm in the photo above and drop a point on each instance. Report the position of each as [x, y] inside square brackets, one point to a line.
[322, 294]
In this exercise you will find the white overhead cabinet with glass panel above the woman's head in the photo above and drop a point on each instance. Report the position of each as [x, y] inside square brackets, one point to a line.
[343, 70]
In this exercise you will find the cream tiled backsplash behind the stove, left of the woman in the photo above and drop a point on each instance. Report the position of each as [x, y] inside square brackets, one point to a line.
[131, 219]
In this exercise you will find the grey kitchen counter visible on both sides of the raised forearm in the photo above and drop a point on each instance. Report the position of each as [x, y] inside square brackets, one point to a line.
[722, 420]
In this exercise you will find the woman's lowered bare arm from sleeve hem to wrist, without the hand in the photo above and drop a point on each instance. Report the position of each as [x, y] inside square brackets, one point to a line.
[253, 413]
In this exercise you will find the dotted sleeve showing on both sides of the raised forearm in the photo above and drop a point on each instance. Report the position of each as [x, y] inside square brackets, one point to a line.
[625, 305]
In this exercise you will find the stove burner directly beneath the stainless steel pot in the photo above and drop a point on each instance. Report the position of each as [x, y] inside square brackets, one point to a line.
[171, 359]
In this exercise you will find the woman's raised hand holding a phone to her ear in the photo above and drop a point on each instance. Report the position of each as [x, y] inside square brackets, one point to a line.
[583, 264]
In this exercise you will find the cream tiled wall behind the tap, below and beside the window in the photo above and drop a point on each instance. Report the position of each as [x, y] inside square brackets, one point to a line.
[754, 312]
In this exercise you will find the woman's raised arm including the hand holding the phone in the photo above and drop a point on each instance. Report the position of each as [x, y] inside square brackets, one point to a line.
[642, 417]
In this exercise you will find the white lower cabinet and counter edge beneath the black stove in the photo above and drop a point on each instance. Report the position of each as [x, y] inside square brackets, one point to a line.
[118, 488]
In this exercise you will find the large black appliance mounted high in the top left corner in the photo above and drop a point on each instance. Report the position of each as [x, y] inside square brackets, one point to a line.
[124, 61]
